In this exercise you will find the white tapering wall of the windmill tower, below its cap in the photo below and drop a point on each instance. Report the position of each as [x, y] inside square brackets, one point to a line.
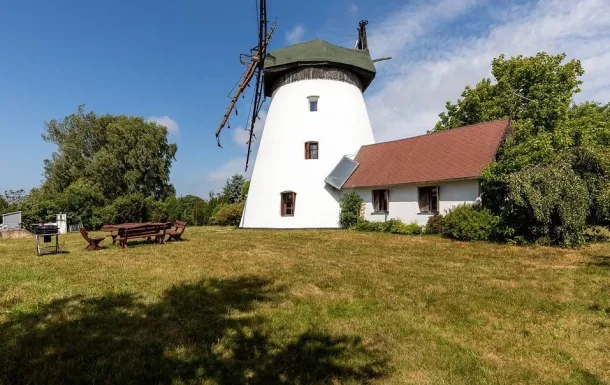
[341, 126]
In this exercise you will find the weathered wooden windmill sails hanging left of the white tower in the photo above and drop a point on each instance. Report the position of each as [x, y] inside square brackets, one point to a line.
[254, 69]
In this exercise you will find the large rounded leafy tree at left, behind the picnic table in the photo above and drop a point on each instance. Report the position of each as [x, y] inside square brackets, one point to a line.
[117, 154]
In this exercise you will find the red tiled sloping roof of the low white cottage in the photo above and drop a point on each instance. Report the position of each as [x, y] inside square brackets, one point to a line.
[460, 153]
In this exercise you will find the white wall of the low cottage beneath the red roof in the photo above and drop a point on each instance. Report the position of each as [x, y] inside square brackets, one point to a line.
[403, 201]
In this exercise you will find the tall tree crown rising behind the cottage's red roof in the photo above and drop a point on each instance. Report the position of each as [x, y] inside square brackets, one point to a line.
[538, 88]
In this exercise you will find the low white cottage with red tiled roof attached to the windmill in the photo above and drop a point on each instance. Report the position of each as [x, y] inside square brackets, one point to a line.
[412, 179]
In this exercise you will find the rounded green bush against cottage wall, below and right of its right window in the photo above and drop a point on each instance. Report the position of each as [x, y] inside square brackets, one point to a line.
[469, 223]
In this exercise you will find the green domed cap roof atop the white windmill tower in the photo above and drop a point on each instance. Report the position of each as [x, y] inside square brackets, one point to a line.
[318, 53]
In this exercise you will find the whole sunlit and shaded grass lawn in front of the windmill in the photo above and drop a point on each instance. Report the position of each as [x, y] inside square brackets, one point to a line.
[304, 307]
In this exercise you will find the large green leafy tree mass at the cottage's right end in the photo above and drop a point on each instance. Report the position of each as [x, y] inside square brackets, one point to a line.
[553, 172]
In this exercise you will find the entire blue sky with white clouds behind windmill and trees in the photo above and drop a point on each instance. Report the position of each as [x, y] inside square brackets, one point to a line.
[176, 62]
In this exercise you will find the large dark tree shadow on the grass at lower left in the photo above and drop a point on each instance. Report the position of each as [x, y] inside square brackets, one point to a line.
[197, 333]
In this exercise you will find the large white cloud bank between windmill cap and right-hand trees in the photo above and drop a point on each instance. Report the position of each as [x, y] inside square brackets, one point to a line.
[431, 67]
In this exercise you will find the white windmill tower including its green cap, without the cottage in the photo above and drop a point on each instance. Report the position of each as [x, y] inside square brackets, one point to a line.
[317, 116]
